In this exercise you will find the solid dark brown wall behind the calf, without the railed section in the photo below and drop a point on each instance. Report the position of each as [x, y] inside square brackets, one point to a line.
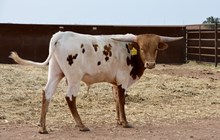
[31, 40]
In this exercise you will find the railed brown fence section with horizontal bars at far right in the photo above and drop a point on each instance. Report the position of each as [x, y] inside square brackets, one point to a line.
[202, 43]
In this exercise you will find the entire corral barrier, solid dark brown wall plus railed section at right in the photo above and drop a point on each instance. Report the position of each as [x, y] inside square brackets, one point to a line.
[201, 43]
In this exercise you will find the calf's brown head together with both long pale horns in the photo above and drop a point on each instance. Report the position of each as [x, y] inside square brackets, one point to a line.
[147, 46]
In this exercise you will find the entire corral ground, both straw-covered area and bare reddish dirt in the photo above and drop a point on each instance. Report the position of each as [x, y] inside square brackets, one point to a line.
[169, 102]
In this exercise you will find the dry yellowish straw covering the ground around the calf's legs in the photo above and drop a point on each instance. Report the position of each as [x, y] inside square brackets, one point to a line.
[162, 95]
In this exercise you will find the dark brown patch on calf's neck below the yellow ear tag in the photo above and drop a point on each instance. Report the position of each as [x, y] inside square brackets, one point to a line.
[137, 66]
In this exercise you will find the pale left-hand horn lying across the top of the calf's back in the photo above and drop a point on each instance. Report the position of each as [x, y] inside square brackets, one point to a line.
[125, 38]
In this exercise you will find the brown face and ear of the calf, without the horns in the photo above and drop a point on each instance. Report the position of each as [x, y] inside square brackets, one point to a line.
[149, 45]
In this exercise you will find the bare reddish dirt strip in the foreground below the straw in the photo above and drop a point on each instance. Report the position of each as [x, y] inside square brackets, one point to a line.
[197, 130]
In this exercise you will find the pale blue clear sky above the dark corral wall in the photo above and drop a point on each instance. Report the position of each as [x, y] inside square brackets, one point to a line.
[108, 12]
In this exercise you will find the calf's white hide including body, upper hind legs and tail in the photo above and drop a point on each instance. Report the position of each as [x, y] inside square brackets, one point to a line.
[85, 67]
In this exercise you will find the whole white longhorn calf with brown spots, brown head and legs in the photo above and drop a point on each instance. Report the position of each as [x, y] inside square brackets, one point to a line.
[116, 59]
